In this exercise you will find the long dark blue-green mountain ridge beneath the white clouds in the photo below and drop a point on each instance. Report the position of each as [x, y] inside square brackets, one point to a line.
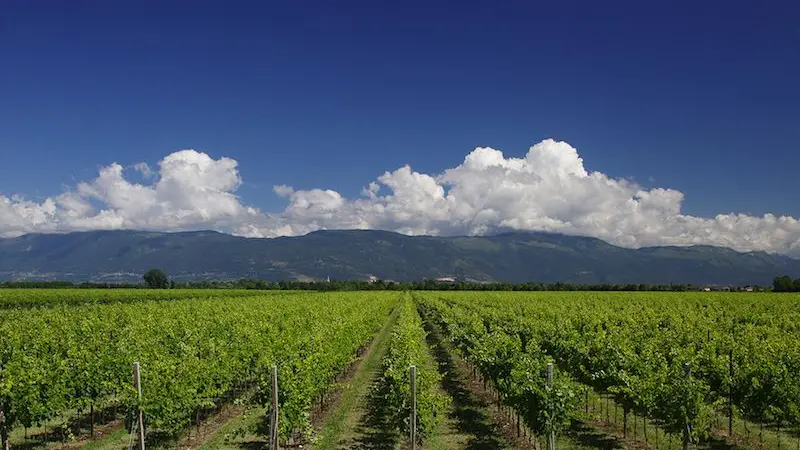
[511, 257]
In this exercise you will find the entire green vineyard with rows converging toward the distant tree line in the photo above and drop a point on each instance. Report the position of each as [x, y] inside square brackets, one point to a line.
[645, 370]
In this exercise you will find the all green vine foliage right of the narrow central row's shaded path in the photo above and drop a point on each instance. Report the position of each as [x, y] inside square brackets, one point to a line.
[633, 346]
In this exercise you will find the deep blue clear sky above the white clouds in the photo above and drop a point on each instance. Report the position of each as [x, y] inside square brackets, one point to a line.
[700, 98]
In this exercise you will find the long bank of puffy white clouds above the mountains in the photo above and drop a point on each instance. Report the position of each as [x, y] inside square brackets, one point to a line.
[549, 189]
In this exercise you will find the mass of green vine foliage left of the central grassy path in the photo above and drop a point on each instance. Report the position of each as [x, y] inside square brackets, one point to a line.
[192, 353]
